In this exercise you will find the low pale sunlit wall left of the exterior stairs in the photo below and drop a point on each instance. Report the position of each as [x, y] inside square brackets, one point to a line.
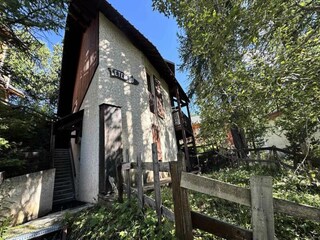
[26, 197]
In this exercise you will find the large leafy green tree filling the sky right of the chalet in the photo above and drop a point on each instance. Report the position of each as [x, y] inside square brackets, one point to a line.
[249, 58]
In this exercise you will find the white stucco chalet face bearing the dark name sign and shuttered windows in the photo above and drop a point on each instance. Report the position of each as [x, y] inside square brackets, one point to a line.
[116, 51]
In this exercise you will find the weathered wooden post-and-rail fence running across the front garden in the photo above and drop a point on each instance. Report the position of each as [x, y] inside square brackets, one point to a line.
[258, 197]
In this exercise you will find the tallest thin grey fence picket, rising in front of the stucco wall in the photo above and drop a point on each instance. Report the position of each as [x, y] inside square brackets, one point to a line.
[156, 180]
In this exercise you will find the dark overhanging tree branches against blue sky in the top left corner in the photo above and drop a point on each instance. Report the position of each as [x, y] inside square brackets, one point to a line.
[23, 22]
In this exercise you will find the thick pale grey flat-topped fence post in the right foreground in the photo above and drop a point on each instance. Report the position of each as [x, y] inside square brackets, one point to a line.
[262, 207]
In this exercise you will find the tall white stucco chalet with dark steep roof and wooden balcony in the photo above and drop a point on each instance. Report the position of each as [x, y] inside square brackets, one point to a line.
[117, 97]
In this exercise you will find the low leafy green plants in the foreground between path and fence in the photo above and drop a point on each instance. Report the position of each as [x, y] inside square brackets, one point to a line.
[117, 221]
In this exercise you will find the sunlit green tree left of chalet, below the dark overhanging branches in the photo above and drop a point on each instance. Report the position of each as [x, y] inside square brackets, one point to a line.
[26, 123]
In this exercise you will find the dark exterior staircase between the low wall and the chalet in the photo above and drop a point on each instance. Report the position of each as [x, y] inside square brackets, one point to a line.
[63, 183]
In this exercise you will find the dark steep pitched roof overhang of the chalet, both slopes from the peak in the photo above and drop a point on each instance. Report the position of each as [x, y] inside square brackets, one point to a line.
[81, 13]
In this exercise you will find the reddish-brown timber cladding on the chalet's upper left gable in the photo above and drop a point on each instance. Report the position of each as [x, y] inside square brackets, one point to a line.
[87, 64]
